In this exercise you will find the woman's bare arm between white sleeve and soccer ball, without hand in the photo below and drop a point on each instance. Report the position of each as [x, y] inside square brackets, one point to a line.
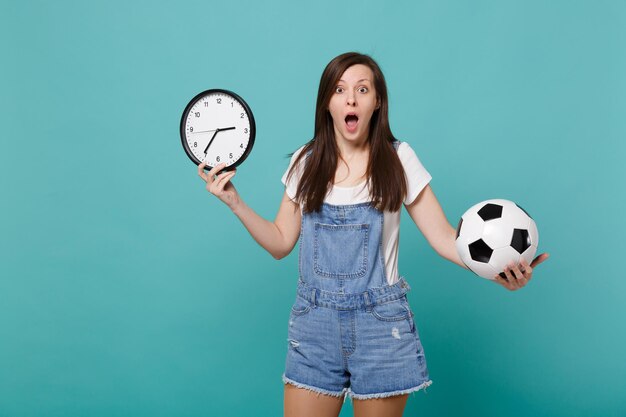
[428, 216]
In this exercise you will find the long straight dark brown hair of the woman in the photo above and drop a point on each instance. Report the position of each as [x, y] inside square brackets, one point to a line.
[385, 173]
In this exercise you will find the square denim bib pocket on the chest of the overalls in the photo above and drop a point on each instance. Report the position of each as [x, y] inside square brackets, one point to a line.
[340, 250]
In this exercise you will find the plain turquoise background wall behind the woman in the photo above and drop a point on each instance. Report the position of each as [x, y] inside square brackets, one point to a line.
[128, 290]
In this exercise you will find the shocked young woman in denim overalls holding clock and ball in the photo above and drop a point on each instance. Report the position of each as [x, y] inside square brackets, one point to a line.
[351, 330]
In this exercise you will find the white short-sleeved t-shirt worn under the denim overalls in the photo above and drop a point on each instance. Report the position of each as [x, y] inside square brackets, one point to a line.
[417, 179]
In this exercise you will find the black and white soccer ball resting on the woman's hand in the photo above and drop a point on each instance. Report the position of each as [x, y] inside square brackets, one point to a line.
[493, 233]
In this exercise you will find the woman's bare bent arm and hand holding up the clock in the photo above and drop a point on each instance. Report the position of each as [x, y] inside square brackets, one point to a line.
[277, 237]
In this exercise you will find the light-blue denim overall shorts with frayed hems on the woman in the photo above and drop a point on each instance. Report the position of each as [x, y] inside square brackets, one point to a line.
[351, 333]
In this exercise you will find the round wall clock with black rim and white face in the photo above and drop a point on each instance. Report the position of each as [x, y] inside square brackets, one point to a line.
[218, 128]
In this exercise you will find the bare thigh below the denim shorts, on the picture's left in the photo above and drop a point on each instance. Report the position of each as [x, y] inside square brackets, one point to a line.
[301, 402]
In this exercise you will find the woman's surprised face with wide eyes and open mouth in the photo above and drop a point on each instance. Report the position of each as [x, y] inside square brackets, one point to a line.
[352, 103]
